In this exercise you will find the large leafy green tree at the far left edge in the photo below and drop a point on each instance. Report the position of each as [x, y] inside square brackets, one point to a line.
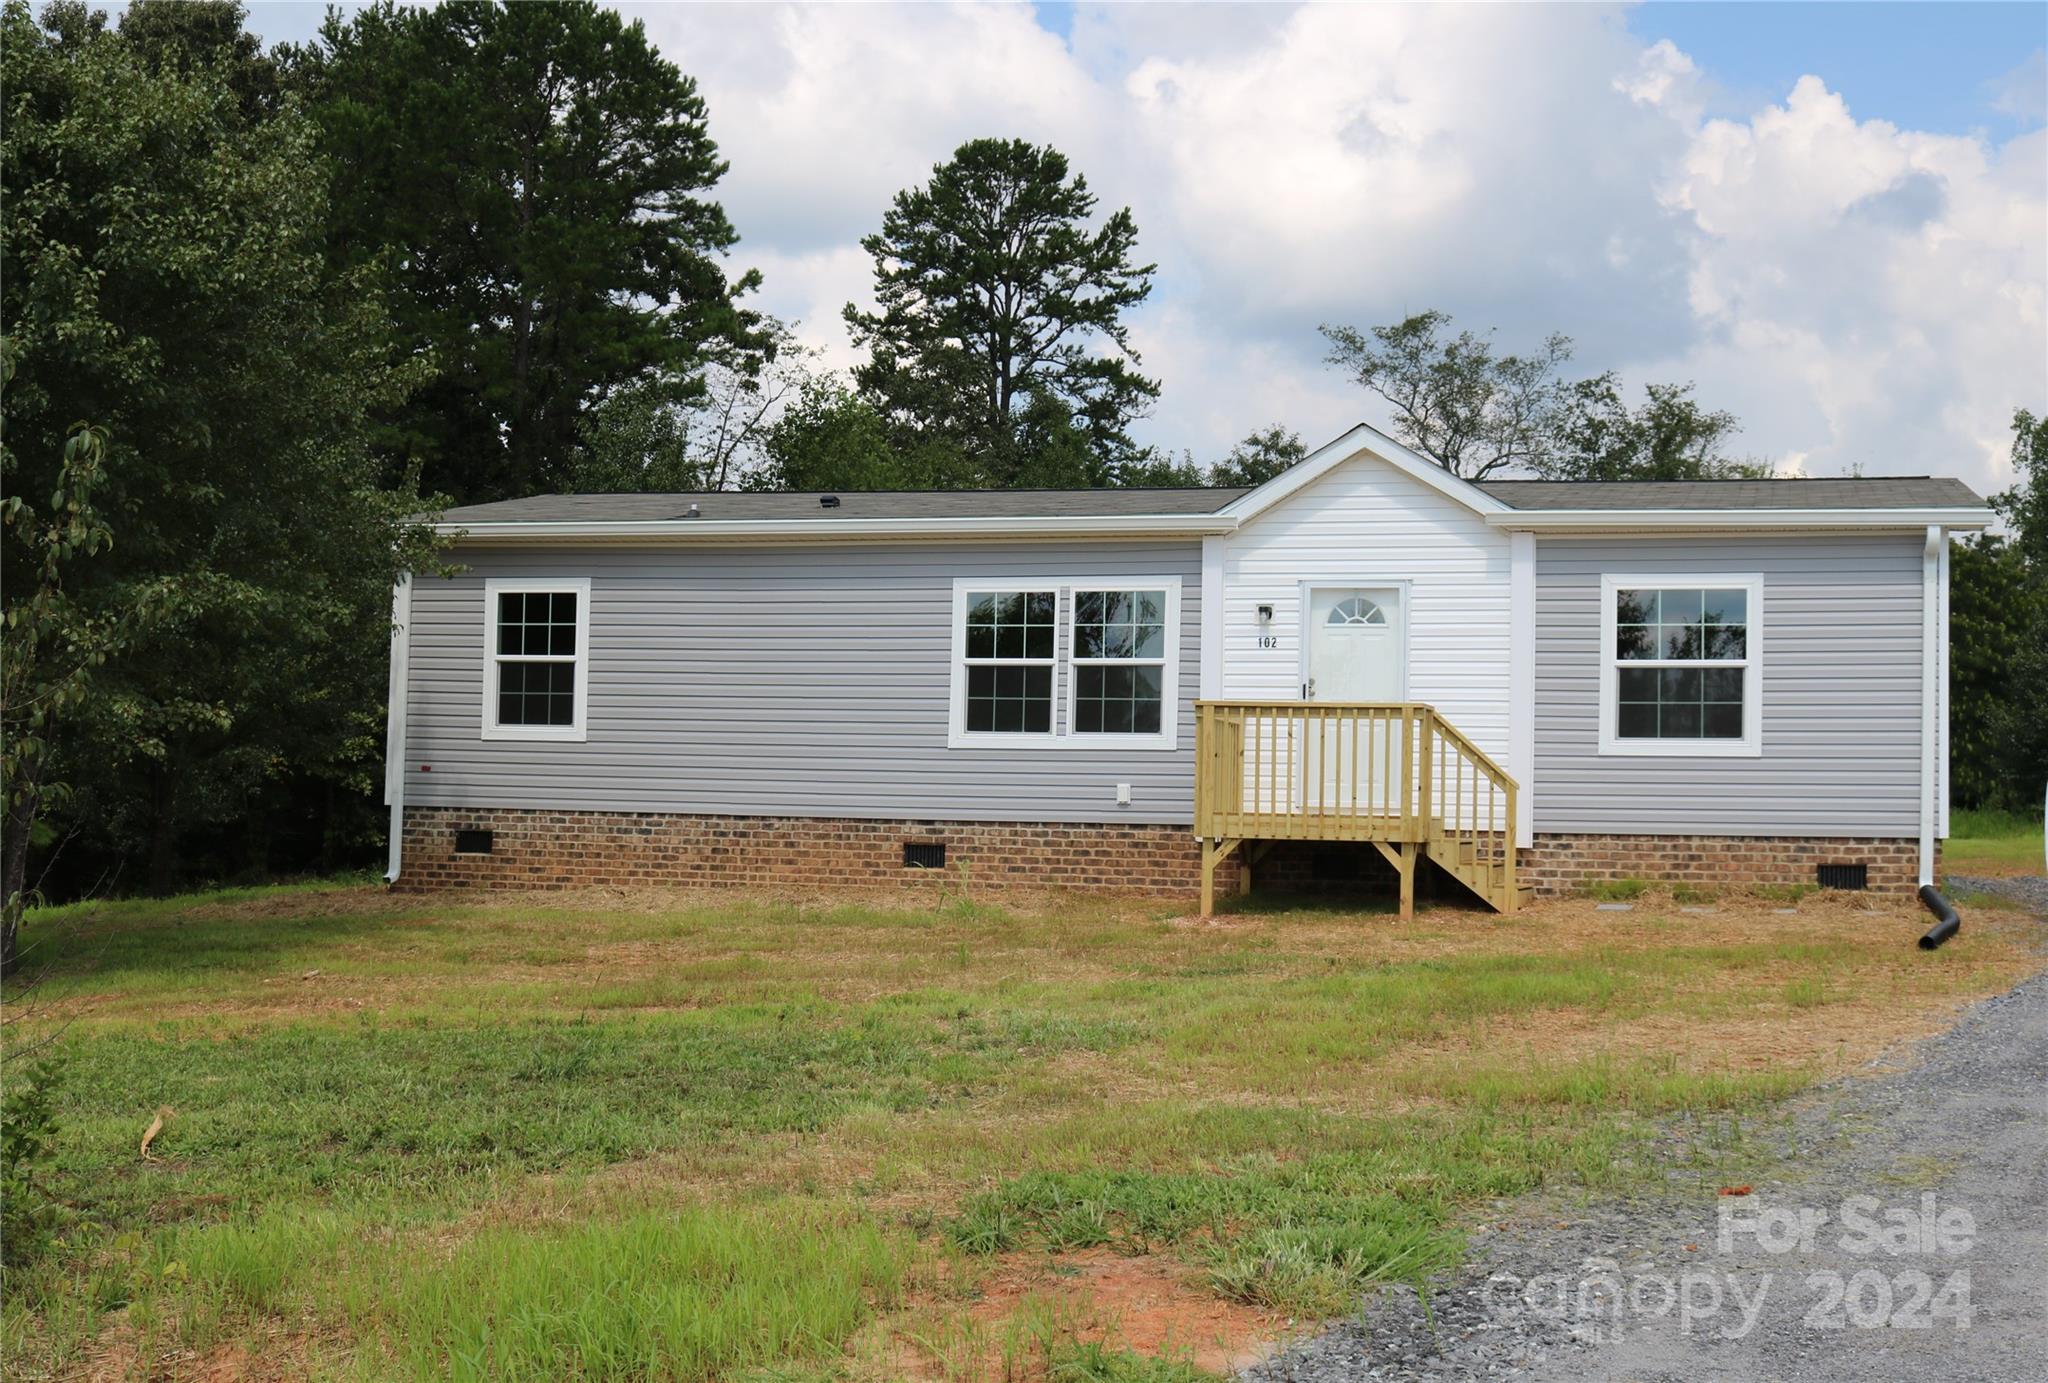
[165, 251]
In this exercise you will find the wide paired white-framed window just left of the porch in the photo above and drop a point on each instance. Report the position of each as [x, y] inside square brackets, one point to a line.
[1064, 665]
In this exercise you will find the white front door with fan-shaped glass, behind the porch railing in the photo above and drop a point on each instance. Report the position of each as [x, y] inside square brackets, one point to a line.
[1357, 653]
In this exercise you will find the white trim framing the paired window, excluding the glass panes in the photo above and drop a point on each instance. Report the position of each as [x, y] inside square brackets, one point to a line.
[1062, 737]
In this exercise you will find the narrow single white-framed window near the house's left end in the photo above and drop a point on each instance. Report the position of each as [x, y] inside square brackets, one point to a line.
[536, 659]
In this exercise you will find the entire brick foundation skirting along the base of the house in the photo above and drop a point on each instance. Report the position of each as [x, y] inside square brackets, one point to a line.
[648, 849]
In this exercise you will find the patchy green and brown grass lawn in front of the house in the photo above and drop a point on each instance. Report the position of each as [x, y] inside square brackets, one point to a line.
[720, 1136]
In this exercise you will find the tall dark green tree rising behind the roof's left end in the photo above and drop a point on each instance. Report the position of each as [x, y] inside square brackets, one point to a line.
[536, 181]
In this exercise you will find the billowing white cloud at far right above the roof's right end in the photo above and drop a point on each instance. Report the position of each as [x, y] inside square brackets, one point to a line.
[1867, 296]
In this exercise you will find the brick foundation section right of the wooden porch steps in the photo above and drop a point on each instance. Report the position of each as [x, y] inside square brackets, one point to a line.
[1564, 864]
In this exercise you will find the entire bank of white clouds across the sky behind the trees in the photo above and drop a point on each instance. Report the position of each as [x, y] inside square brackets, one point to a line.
[1859, 294]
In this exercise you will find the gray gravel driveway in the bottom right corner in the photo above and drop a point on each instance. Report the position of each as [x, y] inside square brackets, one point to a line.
[1932, 1259]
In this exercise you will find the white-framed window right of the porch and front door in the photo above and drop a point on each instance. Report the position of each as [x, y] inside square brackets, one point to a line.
[1682, 665]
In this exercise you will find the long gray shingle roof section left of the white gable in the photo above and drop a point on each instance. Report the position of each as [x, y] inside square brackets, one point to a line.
[853, 505]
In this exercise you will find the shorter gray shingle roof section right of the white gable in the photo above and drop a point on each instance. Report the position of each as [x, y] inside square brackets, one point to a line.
[1625, 495]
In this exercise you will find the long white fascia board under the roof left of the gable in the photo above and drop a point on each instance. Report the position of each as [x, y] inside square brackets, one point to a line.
[841, 530]
